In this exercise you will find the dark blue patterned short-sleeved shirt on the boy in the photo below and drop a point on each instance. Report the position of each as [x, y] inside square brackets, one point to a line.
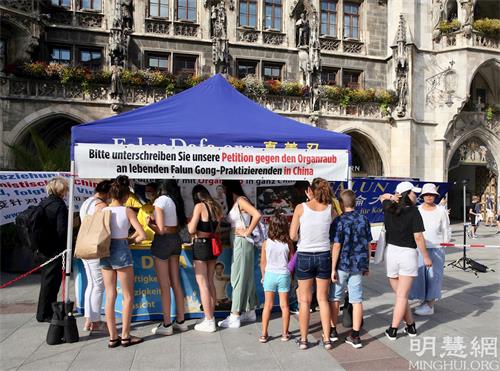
[354, 234]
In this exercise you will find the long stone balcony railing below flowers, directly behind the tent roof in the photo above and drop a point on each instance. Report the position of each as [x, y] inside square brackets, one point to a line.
[54, 91]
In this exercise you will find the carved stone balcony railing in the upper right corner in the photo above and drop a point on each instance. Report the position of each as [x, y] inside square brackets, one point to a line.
[462, 39]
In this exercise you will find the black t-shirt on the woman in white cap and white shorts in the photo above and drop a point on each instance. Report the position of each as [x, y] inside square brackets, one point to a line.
[400, 228]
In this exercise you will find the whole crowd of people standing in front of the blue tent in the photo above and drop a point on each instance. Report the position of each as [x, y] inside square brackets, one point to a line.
[325, 248]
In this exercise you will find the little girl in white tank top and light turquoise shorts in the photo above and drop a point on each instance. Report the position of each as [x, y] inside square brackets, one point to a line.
[276, 252]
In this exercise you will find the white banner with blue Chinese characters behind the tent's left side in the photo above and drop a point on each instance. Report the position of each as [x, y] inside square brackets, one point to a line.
[20, 190]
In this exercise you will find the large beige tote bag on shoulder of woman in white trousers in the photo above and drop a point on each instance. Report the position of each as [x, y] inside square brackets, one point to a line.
[94, 236]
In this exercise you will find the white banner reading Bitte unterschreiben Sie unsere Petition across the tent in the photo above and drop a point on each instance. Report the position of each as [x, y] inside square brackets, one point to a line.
[161, 161]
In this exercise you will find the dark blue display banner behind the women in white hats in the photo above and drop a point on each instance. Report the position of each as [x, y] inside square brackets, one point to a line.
[368, 191]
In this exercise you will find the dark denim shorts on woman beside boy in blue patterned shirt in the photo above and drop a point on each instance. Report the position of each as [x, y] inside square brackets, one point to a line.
[313, 265]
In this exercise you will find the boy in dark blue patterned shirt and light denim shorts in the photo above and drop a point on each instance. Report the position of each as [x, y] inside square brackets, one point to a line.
[350, 261]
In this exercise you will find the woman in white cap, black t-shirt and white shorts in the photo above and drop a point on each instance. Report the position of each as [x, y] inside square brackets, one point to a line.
[404, 227]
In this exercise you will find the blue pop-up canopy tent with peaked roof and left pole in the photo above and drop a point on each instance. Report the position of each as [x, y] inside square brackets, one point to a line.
[212, 113]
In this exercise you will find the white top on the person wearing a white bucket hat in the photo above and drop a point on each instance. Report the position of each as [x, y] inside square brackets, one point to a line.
[437, 226]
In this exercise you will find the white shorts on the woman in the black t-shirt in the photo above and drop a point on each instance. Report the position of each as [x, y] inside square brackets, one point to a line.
[401, 261]
